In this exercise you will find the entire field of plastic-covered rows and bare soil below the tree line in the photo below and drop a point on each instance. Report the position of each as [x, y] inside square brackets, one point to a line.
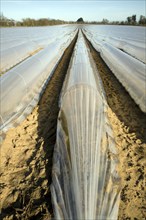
[73, 122]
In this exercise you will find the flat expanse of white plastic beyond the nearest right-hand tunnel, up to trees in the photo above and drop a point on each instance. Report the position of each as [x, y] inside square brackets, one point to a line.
[130, 39]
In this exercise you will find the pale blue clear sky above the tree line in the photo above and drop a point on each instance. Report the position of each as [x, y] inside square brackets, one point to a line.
[96, 10]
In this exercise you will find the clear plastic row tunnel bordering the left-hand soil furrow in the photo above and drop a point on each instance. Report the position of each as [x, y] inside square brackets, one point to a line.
[21, 86]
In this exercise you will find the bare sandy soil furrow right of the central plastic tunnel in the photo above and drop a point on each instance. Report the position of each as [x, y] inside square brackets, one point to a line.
[129, 127]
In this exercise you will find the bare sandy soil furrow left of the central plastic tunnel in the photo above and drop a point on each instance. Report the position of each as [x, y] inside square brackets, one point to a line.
[26, 154]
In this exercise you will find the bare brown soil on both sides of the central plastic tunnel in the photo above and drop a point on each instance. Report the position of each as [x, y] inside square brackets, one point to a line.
[26, 152]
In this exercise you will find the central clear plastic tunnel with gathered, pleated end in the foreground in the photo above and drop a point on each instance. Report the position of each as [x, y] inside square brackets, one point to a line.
[85, 184]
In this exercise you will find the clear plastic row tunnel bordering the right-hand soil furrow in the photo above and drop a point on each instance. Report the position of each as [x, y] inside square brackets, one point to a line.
[128, 70]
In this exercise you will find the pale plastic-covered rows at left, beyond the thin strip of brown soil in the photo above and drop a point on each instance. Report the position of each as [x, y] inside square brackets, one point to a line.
[14, 50]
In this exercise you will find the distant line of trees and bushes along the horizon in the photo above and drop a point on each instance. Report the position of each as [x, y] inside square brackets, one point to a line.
[5, 22]
